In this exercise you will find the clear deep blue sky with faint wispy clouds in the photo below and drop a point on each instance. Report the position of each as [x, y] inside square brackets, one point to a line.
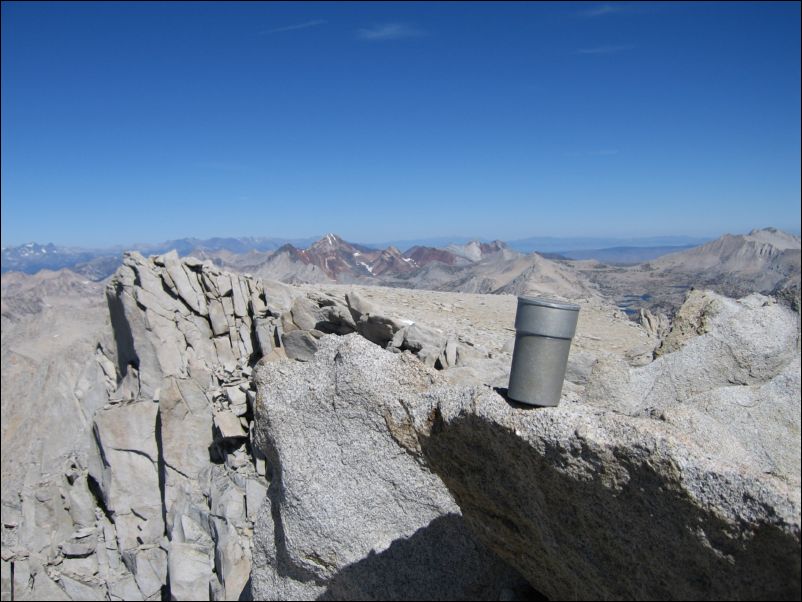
[143, 122]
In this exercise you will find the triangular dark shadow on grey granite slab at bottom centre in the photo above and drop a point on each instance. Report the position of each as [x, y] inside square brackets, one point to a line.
[441, 561]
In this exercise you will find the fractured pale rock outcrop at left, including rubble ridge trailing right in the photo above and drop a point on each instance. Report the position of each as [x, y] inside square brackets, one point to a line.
[161, 491]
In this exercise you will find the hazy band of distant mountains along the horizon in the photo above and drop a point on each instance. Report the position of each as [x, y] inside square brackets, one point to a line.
[657, 278]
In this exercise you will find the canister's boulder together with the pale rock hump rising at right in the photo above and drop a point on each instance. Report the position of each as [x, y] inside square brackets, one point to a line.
[679, 479]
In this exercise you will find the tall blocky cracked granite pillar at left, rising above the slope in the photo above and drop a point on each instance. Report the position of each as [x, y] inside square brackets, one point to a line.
[173, 460]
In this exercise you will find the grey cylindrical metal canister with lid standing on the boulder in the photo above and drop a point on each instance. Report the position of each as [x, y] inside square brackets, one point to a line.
[543, 332]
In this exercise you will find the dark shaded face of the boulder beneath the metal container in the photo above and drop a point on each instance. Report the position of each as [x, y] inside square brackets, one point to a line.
[554, 512]
